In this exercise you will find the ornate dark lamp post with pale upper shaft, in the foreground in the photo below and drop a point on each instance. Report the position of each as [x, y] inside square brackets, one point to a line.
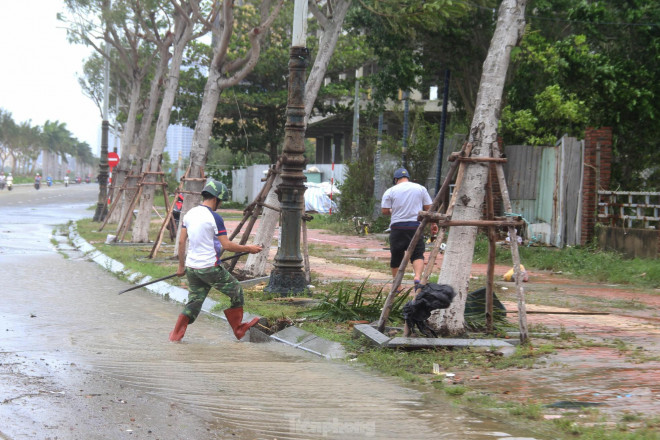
[288, 277]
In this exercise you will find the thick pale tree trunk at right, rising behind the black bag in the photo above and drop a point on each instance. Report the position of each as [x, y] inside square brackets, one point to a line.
[457, 262]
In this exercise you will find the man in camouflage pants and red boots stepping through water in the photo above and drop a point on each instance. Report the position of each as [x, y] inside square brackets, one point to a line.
[205, 231]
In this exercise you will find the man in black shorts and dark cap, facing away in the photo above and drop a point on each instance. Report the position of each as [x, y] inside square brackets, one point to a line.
[403, 201]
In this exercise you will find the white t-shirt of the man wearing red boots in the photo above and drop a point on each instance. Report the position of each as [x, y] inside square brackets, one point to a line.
[204, 226]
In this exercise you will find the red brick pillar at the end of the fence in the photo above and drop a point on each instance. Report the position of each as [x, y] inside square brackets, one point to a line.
[597, 166]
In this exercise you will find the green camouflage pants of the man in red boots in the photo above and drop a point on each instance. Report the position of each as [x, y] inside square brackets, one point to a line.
[200, 282]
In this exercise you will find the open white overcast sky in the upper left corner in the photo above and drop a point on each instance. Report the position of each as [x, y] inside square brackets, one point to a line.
[39, 70]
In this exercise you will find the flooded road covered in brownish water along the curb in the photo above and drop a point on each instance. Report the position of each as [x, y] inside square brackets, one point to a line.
[78, 361]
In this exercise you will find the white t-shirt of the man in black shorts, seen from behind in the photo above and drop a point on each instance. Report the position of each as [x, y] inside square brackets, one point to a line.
[405, 200]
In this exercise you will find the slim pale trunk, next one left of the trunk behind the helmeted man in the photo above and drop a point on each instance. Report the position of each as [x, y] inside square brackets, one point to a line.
[183, 32]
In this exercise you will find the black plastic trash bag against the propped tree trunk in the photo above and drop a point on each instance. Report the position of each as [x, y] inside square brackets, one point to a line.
[431, 297]
